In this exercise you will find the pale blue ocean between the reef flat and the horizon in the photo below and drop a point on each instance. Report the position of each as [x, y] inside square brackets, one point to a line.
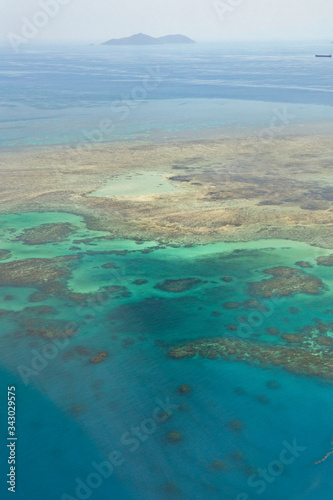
[59, 94]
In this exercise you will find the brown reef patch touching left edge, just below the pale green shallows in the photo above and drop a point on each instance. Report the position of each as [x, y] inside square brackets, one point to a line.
[33, 271]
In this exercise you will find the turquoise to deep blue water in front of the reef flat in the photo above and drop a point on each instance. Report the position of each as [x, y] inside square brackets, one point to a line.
[72, 413]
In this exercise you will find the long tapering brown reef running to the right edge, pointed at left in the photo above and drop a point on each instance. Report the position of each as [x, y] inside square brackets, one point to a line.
[318, 362]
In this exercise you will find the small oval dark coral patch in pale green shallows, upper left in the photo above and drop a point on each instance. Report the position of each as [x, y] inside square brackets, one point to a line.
[46, 233]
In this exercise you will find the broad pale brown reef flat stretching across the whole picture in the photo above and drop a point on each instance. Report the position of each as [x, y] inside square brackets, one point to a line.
[234, 189]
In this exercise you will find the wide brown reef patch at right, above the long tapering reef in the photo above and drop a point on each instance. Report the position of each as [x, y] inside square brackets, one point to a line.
[286, 281]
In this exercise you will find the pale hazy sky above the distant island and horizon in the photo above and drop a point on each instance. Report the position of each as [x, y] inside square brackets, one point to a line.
[203, 20]
